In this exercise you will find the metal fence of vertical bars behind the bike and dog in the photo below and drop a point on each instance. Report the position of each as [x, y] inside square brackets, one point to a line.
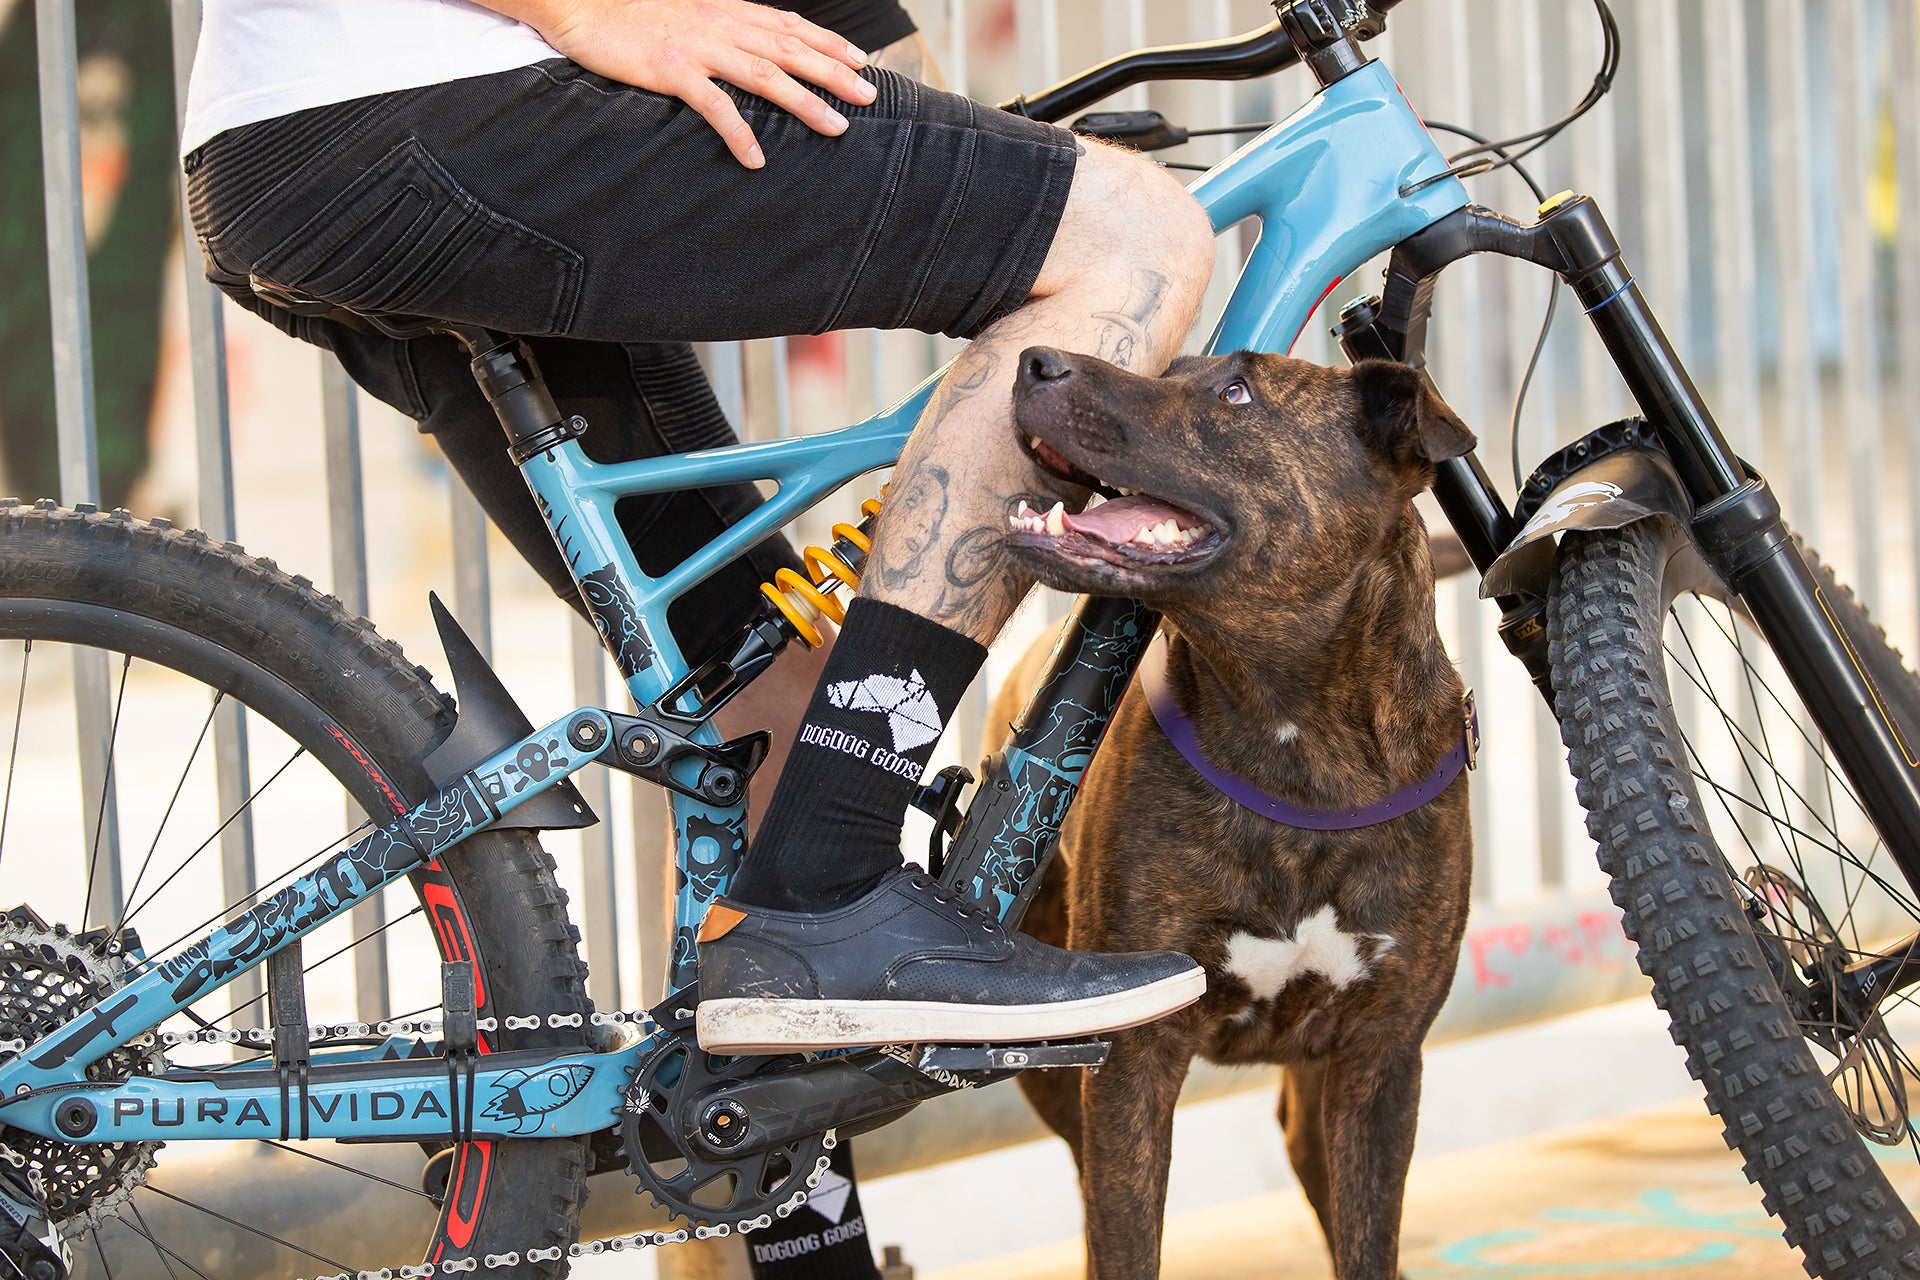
[1760, 160]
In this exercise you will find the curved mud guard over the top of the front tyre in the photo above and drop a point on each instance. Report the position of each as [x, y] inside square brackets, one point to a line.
[1608, 494]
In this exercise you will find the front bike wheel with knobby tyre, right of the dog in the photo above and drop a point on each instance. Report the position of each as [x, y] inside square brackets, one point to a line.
[1750, 878]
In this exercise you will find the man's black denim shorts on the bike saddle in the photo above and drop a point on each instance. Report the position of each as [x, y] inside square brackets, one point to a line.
[613, 227]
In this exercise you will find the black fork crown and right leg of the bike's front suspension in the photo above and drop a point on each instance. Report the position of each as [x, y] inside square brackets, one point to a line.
[1737, 519]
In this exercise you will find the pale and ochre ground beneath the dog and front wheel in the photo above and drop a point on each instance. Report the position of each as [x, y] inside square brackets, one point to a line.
[1568, 1149]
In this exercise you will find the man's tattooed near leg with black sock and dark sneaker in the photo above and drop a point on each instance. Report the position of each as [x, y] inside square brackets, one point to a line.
[809, 949]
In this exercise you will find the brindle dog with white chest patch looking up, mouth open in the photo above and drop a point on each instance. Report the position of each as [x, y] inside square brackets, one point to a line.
[1299, 600]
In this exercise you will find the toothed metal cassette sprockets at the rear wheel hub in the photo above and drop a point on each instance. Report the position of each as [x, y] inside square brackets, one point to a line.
[51, 976]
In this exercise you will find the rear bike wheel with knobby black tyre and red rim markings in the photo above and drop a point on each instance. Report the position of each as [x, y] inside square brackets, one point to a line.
[201, 650]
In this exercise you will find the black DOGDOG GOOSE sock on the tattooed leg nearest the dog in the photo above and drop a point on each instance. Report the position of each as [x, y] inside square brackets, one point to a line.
[834, 826]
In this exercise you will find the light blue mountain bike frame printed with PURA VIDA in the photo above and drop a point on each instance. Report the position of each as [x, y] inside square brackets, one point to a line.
[1330, 187]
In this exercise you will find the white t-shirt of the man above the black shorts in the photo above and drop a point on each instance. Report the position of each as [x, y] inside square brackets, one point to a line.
[264, 59]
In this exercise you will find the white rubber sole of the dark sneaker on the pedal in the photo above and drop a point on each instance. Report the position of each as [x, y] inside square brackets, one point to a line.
[748, 1026]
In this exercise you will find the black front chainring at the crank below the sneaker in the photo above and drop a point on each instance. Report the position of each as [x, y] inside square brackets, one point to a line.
[719, 1195]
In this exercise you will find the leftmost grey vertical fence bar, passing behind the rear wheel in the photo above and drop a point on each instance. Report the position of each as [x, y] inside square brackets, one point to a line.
[74, 406]
